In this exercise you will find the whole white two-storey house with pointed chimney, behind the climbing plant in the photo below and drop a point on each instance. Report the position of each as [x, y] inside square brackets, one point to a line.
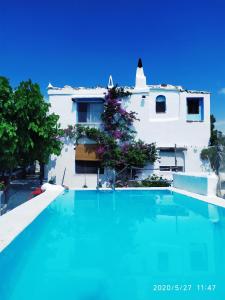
[177, 120]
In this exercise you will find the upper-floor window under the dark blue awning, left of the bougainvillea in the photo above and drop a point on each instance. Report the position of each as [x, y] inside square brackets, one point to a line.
[89, 112]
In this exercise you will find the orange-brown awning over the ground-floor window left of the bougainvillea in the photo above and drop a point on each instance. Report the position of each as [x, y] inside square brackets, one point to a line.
[87, 152]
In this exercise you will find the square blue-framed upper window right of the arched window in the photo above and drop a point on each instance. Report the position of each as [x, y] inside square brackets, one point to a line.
[195, 109]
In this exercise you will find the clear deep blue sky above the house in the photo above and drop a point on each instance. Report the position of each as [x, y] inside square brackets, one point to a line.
[80, 43]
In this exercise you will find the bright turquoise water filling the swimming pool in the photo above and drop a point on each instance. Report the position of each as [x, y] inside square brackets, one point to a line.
[135, 245]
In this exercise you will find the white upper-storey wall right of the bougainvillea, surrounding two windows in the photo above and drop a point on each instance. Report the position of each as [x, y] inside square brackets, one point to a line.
[167, 129]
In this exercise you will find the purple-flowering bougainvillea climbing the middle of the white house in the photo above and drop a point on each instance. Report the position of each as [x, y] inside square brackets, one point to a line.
[116, 142]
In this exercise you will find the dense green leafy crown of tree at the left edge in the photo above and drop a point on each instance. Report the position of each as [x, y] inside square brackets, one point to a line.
[28, 132]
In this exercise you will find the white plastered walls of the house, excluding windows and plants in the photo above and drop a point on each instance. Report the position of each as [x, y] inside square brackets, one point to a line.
[165, 129]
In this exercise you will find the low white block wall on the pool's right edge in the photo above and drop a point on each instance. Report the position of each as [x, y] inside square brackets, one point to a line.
[199, 183]
